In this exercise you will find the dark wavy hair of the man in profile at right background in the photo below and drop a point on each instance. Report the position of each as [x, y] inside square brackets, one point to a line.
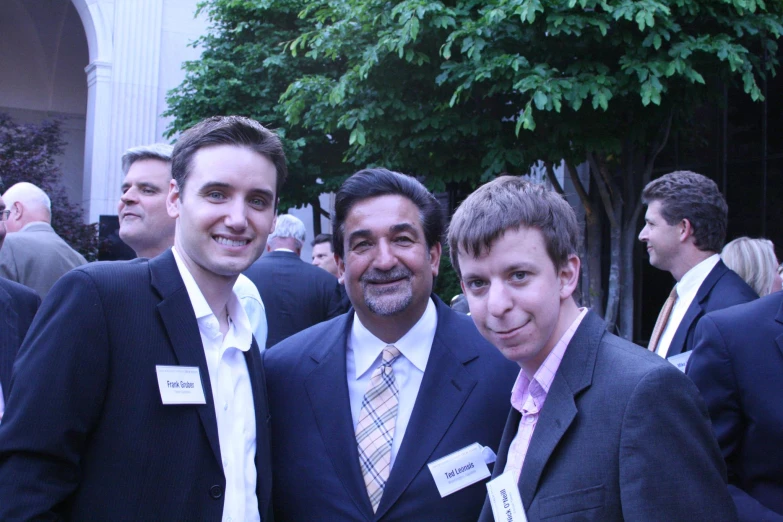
[687, 195]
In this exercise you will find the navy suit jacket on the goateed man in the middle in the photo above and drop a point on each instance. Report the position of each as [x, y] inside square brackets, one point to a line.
[463, 399]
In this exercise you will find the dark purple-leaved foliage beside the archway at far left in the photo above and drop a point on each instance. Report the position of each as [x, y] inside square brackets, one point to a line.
[28, 152]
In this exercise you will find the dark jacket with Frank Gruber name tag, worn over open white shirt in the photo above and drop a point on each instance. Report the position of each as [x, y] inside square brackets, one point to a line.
[85, 436]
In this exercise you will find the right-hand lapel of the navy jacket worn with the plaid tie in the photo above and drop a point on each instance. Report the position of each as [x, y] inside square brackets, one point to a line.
[444, 389]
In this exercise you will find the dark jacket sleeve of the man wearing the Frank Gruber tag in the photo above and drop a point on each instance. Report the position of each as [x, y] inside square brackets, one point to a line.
[57, 392]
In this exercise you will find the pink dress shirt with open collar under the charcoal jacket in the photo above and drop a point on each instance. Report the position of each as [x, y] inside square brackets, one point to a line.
[528, 397]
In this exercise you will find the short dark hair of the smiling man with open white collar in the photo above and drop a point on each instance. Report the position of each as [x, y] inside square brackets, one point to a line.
[227, 130]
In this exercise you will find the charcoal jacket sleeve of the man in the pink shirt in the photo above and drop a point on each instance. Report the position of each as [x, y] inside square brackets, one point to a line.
[670, 465]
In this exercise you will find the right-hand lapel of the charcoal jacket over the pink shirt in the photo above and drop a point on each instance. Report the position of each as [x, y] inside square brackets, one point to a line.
[574, 375]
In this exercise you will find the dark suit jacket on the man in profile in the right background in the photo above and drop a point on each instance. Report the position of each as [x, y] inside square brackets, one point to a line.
[722, 288]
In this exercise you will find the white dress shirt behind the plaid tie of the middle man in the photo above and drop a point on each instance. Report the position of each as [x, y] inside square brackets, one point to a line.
[363, 356]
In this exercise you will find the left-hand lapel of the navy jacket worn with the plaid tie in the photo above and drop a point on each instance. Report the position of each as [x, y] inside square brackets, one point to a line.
[332, 413]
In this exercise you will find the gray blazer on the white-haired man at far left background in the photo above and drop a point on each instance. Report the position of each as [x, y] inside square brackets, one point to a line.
[37, 257]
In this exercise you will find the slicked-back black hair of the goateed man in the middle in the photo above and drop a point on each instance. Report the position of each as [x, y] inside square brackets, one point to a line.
[373, 183]
